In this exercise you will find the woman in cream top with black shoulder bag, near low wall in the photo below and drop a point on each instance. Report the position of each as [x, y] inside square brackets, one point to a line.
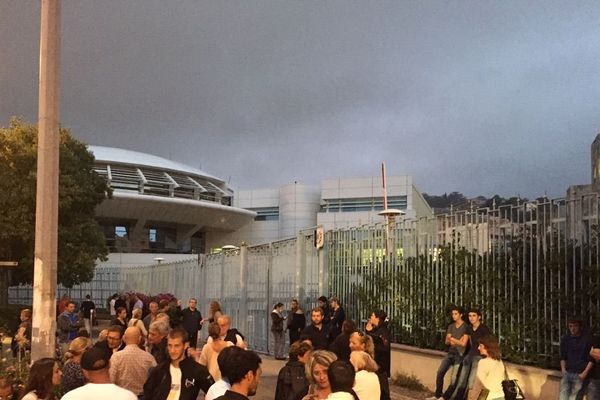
[490, 371]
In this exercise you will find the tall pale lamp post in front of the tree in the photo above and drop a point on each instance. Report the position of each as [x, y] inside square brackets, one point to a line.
[43, 335]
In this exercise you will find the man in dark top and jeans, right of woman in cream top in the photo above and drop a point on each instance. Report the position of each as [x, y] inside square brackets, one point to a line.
[575, 363]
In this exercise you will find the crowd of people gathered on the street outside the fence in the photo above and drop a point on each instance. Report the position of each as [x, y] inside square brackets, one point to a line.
[156, 353]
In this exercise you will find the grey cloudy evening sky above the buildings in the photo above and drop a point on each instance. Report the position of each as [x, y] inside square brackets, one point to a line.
[480, 97]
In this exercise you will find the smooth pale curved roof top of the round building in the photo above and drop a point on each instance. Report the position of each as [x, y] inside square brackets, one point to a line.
[124, 156]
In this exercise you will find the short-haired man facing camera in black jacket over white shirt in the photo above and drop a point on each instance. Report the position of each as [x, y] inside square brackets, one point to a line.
[179, 378]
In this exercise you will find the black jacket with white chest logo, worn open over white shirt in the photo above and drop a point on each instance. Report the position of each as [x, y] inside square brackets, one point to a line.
[194, 377]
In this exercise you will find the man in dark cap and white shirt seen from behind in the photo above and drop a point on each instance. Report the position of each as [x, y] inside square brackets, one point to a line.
[99, 386]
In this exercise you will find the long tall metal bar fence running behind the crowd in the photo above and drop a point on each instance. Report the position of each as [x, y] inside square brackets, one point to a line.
[526, 266]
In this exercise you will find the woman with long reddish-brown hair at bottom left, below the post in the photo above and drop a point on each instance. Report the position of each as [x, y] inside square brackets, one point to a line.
[44, 376]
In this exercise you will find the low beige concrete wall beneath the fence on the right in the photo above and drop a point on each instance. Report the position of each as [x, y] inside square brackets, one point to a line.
[537, 383]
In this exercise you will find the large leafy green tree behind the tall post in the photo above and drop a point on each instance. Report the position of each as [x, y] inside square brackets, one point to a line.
[80, 237]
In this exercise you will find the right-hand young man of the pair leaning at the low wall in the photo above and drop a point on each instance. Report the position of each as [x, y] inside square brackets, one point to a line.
[468, 372]
